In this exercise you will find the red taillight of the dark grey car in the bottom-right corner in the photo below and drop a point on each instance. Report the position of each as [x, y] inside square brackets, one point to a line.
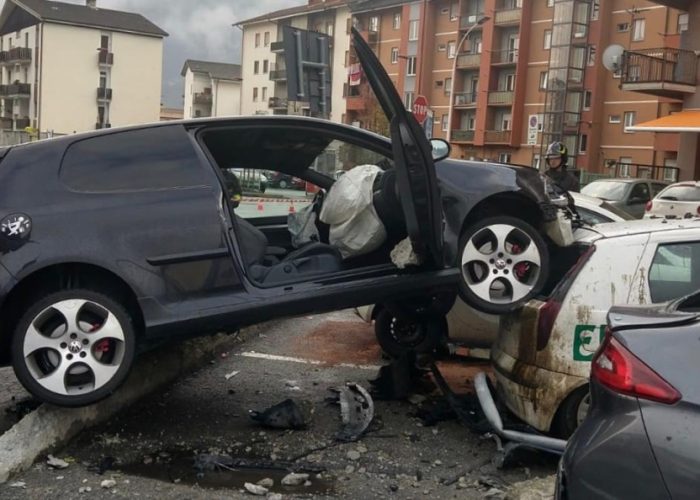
[618, 369]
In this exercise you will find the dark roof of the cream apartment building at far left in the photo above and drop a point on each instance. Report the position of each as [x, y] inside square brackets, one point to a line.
[82, 15]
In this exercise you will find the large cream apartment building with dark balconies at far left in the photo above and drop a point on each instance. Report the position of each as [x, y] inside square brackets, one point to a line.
[74, 67]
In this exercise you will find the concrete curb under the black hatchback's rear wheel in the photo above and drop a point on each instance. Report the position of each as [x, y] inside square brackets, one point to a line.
[50, 426]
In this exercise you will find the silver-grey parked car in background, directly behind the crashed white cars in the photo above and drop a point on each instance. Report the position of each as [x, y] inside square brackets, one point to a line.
[630, 195]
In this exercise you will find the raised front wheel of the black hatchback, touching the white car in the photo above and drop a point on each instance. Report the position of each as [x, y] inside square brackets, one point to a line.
[504, 262]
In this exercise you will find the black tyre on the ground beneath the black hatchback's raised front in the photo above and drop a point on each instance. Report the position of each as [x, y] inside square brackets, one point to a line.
[396, 335]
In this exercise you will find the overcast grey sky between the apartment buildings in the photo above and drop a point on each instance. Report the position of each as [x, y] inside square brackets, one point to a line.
[199, 29]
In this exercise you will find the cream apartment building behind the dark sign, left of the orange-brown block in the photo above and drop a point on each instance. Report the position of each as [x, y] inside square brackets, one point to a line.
[264, 72]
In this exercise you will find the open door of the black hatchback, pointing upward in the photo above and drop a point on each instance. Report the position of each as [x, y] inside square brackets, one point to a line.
[415, 170]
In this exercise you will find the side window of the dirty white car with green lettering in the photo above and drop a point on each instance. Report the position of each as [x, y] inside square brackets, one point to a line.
[675, 271]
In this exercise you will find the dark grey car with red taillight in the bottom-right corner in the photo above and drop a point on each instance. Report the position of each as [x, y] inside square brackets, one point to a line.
[641, 438]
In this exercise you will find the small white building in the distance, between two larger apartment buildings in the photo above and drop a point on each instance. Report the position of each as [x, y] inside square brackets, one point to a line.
[211, 89]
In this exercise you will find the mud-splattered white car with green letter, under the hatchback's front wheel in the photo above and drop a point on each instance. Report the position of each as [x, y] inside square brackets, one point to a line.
[543, 352]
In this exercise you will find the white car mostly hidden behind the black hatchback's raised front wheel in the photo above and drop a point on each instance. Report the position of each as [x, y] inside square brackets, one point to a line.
[465, 325]
